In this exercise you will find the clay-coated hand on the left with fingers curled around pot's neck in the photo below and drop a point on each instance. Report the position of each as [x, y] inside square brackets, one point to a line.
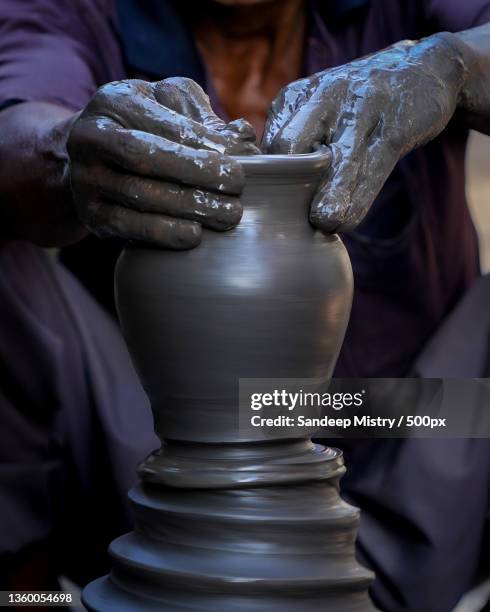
[151, 162]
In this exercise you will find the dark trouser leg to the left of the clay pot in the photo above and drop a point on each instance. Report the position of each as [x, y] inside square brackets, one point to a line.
[74, 422]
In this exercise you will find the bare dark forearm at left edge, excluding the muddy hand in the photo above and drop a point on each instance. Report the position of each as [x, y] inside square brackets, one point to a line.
[36, 201]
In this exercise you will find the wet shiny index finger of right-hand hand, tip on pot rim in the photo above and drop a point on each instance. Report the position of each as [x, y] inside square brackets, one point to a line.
[283, 108]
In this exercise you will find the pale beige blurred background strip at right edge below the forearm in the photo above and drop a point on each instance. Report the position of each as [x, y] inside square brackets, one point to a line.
[478, 190]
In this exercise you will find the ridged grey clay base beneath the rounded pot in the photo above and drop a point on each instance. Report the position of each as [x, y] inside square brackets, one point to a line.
[249, 547]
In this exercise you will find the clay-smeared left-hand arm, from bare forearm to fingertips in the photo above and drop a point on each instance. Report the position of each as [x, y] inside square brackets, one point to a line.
[143, 161]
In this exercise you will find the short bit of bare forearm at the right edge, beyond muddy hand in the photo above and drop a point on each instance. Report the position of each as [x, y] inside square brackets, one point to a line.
[474, 103]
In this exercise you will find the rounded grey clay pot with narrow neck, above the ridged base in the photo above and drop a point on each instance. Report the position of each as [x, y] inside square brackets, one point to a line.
[268, 299]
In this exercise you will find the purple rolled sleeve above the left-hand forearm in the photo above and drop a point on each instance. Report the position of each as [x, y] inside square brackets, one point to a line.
[50, 51]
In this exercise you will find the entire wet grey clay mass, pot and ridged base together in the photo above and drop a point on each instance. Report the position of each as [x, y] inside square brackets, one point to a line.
[222, 521]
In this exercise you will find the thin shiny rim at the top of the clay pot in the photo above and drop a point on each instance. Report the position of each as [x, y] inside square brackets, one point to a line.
[295, 163]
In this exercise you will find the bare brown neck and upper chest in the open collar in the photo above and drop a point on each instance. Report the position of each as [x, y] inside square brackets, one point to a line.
[251, 52]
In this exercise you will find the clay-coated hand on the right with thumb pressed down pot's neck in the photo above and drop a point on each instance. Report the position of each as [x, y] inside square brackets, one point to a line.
[370, 113]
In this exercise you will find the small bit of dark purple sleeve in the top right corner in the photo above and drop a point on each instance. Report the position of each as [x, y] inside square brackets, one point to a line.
[457, 15]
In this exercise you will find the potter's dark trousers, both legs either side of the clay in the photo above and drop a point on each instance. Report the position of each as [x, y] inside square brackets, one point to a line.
[74, 422]
